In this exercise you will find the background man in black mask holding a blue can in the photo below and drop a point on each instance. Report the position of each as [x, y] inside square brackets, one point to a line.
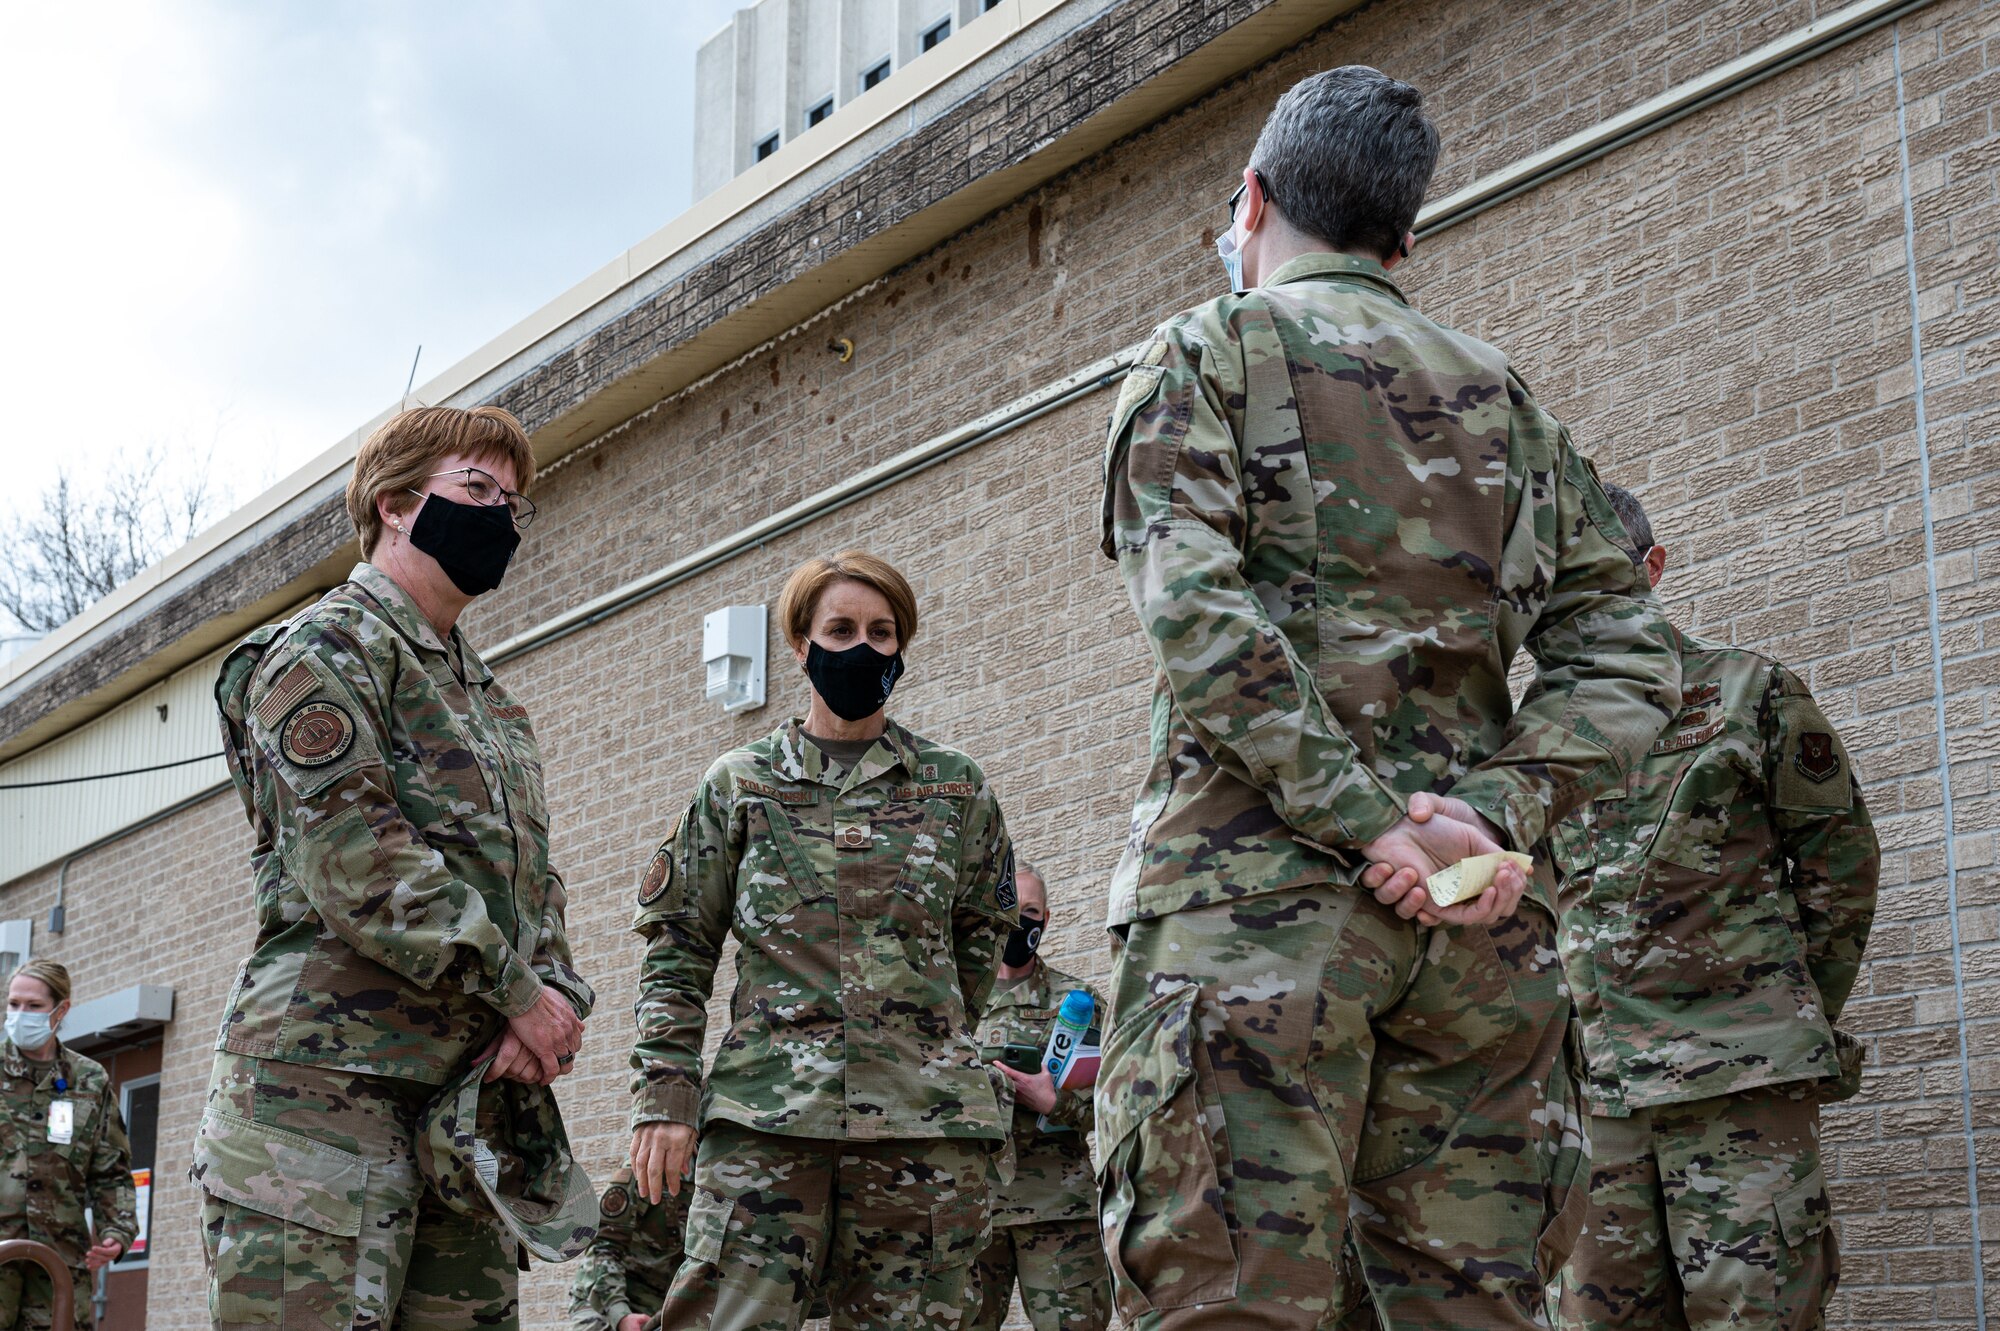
[1047, 1214]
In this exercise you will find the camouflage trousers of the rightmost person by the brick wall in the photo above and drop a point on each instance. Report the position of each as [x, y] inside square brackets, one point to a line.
[1705, 1214]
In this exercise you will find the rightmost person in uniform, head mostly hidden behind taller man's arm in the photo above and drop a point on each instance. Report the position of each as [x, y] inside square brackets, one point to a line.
[1715, 910]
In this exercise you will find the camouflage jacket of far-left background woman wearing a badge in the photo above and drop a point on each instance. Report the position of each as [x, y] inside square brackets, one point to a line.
[49, 1184]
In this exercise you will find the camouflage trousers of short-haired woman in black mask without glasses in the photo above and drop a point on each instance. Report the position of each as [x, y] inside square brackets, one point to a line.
[885, 1230]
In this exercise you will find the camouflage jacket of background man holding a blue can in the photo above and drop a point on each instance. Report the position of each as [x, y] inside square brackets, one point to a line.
[1053, 1176]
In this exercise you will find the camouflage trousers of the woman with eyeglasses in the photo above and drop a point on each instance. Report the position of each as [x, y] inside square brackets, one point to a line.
[403, 1260]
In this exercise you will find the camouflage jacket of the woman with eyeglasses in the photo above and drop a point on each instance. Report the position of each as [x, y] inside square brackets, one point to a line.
[405, 902]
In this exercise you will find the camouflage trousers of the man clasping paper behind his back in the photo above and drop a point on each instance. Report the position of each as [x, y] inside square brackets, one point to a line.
[1315, 1114]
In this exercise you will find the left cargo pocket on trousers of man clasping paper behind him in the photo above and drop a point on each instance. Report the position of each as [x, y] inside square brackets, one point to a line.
[1161, 1188]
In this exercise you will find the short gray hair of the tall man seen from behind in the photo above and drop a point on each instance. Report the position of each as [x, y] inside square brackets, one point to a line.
[1347, 155]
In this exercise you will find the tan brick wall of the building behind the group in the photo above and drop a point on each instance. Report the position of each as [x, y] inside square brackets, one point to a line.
[1723, 317]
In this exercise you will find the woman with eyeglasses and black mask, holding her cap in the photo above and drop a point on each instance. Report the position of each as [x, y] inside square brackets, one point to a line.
[409, 922]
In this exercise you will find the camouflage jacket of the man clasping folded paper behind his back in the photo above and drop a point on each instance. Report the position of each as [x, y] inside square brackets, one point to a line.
[1339, 523]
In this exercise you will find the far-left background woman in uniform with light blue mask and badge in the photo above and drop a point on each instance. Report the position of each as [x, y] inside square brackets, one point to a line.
[65, 1152]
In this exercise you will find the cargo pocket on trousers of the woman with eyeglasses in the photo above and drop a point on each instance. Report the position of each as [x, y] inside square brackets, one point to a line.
[283, 1218]
